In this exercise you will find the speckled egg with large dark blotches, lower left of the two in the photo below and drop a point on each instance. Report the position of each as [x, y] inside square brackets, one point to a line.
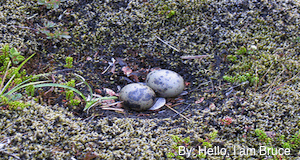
[137, 96]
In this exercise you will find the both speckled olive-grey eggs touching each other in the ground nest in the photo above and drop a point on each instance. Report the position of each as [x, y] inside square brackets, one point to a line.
[141, 96]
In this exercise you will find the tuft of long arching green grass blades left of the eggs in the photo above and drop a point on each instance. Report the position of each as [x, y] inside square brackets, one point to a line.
[8, 92]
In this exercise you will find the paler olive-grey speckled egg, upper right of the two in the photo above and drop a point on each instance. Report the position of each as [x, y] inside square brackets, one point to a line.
[165, 82]
